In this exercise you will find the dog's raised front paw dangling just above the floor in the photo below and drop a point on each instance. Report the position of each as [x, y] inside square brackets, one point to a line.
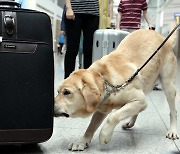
[105, 135]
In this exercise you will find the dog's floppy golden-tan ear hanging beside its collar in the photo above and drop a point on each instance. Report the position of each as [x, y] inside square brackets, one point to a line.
[91, 96]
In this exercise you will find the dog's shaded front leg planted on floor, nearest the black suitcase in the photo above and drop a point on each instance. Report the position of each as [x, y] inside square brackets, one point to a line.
[84, 141]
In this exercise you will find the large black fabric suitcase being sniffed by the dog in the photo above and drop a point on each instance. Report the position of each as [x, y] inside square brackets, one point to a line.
[26, 75]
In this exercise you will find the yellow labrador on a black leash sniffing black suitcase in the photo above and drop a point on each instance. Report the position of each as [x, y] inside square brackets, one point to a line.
[104, 87]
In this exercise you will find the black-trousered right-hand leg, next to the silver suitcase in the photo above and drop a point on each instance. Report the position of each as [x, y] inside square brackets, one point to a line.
[90, 25]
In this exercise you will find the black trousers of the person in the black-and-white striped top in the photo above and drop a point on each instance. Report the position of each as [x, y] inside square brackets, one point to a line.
[87, 24]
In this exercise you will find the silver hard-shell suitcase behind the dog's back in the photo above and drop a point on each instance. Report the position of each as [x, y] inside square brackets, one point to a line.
[105, 41]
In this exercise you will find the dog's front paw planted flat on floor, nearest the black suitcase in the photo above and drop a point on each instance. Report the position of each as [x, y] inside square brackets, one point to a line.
[79, 145]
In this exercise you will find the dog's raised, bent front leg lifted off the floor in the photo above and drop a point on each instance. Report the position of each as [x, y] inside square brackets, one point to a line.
[129, 110]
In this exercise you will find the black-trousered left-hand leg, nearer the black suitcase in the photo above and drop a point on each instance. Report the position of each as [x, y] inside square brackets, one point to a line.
[73, 31]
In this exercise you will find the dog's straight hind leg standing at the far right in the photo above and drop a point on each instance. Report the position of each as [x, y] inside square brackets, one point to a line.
[168, 77]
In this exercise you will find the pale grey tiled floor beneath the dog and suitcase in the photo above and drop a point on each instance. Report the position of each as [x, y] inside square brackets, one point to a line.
[146, 137]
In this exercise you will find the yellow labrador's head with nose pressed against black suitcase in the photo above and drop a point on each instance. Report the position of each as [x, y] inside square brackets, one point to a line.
[79, 94]
